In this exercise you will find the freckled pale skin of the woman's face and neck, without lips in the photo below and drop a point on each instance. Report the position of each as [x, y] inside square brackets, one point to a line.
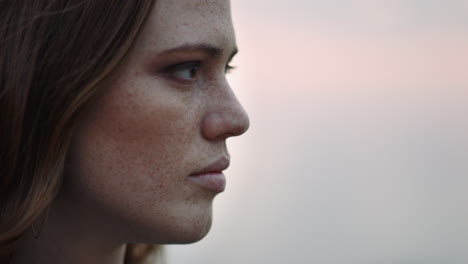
[166, 114]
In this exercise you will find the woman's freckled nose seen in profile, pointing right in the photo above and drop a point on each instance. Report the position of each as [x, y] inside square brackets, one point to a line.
[225, 118]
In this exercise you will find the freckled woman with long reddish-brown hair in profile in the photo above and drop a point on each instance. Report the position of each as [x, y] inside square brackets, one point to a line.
[114, 120]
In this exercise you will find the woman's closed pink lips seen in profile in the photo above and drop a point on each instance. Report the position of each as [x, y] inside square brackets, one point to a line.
[211, 177]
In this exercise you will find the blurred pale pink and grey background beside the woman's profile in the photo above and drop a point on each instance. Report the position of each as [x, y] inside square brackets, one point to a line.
[358, 146]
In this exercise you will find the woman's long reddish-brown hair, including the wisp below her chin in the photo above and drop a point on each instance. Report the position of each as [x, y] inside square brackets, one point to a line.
[54, 57]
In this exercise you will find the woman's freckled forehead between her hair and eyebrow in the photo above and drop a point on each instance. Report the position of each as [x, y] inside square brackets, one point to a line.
[177, 22]
